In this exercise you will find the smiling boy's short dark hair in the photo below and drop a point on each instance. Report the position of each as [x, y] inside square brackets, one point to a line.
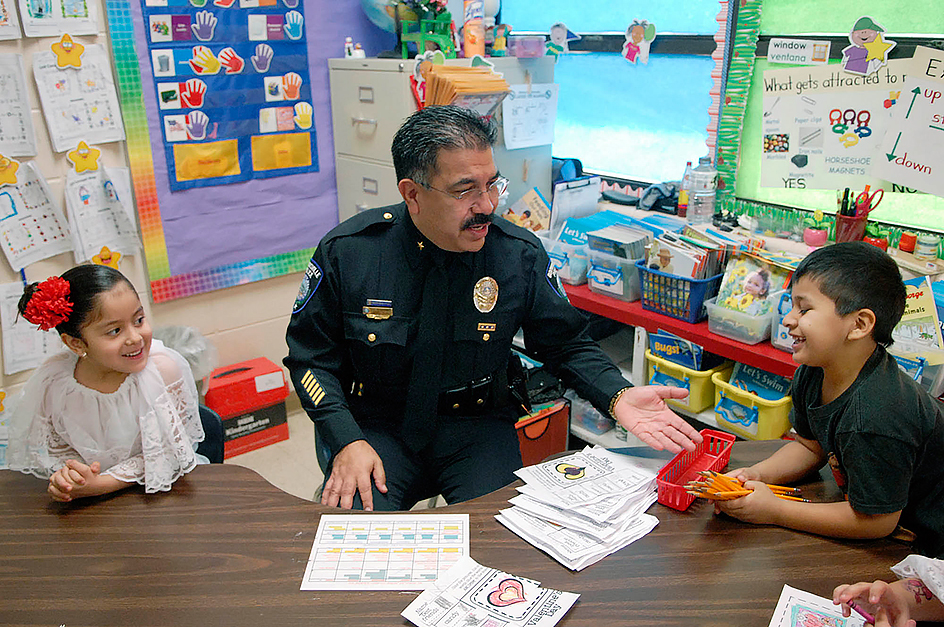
[856, 275]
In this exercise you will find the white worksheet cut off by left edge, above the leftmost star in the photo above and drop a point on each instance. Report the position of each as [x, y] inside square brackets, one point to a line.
[17, 138]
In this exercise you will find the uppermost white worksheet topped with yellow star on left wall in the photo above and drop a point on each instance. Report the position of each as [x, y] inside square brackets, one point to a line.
[78, 102]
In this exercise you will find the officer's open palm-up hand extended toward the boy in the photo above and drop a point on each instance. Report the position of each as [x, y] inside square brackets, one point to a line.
[642, 410]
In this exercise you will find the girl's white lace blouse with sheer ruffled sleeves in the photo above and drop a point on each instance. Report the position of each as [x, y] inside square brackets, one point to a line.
[145, 432]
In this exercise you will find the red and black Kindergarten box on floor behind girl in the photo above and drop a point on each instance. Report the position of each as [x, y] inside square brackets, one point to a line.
[250, 398]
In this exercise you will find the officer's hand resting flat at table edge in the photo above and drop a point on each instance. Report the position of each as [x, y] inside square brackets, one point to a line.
[351, 471]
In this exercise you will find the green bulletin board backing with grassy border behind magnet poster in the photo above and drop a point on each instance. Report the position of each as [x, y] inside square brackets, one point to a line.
[741, 138]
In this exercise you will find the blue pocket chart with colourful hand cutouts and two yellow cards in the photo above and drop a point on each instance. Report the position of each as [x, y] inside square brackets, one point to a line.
[233, 89]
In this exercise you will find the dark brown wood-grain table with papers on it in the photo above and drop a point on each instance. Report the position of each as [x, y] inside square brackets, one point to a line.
[226, 548]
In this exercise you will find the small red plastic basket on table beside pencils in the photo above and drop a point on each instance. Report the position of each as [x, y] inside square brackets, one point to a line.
[712, 454]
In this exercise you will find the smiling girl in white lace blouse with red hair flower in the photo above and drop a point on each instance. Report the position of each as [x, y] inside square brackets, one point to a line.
[116, 409]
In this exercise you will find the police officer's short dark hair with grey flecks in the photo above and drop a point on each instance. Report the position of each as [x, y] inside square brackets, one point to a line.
[417, 144]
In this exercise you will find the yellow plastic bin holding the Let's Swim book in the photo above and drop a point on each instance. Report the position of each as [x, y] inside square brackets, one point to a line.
[749, 415]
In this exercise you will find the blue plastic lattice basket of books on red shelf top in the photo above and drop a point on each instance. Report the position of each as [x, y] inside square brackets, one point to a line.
[676, 296]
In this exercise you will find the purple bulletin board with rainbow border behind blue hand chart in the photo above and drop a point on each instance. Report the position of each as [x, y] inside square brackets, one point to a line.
[204, 238]
